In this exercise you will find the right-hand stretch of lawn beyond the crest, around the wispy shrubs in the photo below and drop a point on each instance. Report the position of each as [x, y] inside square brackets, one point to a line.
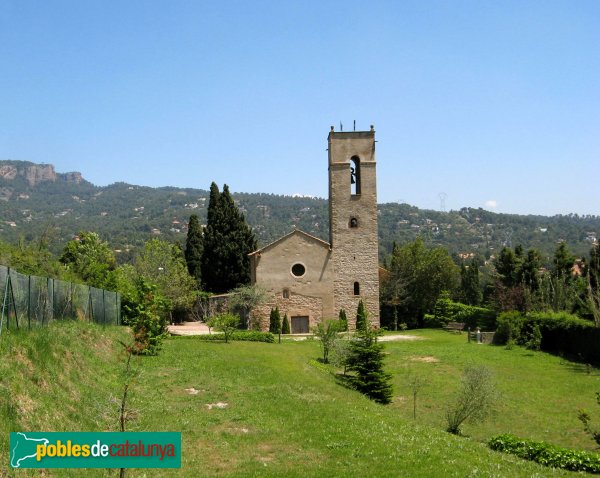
[539, 393]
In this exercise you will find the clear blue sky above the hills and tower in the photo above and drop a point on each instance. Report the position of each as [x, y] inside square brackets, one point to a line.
[495, 104]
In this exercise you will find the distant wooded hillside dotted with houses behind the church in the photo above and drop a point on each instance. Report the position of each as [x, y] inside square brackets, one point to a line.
[128, 215]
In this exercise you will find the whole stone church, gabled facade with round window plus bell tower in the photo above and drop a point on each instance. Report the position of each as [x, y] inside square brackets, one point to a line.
[310, 279]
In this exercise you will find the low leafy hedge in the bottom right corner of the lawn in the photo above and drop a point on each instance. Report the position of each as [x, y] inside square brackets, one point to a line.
[546, 454]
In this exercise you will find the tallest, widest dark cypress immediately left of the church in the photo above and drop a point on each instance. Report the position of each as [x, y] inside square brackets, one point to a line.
[227, 242]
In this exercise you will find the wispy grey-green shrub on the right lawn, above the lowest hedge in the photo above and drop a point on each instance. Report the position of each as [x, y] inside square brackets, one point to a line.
[475, 399]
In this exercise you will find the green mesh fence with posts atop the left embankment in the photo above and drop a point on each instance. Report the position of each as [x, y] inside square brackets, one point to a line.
[31, 301]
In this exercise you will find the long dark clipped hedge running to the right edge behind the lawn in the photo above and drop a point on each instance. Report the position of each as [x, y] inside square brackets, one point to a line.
[561, 333]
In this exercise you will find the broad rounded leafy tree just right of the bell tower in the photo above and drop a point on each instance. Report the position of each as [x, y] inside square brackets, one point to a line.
[422, 274]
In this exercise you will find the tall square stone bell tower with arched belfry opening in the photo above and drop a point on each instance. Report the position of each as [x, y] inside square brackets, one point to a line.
[353, 222]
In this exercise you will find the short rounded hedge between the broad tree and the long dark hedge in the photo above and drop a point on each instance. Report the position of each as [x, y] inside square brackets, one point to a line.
[446, 310]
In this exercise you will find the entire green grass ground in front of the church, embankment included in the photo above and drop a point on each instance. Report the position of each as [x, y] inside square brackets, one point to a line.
[283, 415]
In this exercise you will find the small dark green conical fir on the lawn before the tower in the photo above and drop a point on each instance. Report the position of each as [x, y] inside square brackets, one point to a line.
[366, 361]
